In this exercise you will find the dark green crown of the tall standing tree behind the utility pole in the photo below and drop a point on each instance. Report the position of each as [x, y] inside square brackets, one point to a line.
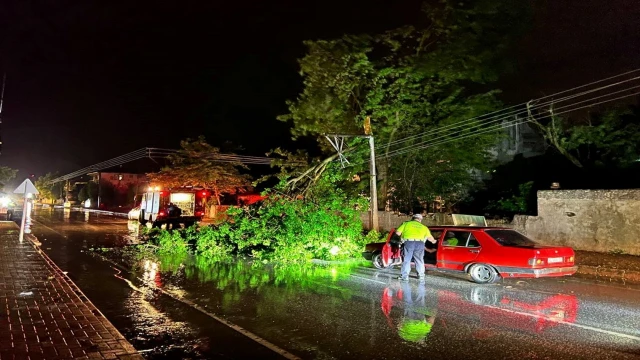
[412, 80]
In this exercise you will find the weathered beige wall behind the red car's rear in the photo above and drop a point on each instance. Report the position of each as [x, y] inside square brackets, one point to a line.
[593, 220]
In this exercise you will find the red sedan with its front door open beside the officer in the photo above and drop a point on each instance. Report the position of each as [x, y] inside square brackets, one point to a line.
[485, 253]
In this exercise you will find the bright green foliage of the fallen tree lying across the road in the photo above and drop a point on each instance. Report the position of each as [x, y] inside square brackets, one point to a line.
[323, 225]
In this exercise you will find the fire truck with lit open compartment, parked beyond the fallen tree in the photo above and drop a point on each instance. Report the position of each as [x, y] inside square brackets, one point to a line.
[172, 207]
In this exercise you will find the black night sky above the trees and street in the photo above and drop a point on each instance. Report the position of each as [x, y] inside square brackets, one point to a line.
[89, 80]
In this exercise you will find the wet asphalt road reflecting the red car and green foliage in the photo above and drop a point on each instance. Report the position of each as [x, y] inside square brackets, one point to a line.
[335, 313]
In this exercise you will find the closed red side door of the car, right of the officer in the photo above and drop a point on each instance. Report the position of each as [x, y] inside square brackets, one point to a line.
[457, 249]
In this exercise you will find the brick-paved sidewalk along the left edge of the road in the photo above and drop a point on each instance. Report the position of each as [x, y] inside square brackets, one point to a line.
[43, 314]
